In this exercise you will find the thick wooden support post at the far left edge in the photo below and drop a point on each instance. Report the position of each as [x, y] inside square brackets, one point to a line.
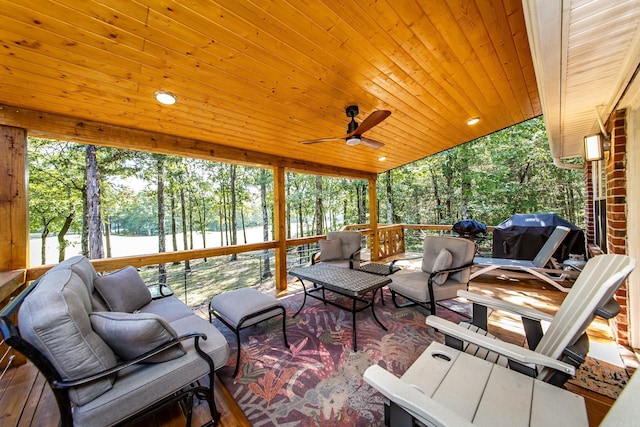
[14, 226]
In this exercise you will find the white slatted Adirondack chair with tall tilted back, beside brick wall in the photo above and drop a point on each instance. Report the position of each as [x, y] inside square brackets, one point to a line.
[552, 355]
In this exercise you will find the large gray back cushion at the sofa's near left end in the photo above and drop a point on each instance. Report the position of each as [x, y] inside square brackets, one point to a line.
[54, 318]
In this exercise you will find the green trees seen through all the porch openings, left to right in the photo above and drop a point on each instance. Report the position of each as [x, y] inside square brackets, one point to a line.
[489, 179]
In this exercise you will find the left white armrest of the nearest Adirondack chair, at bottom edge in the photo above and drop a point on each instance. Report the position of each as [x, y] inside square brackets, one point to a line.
[412, 400]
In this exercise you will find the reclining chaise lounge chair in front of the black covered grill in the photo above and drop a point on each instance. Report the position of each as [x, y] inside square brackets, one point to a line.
[543, 266]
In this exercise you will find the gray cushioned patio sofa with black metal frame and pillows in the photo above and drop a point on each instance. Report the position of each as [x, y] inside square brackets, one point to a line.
[109, 352]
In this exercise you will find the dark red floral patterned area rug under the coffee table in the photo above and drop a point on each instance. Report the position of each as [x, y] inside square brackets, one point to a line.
[319, 380]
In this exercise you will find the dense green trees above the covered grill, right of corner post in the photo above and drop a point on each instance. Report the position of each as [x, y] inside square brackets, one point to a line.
[489, 179]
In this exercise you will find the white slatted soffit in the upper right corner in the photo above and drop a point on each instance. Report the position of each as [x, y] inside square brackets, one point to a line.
[584, 60]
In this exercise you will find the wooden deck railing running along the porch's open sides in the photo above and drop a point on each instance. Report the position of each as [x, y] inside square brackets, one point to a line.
[195, 276]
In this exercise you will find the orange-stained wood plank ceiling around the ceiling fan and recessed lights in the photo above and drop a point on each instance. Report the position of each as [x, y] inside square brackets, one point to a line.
[266, 75]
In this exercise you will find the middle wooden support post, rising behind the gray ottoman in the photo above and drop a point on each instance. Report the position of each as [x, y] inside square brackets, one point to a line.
[280, 234]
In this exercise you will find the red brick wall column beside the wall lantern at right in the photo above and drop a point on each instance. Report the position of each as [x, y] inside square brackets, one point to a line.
[617, 211]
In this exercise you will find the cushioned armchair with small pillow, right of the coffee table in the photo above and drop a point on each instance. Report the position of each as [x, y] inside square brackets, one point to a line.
[445, 269]
